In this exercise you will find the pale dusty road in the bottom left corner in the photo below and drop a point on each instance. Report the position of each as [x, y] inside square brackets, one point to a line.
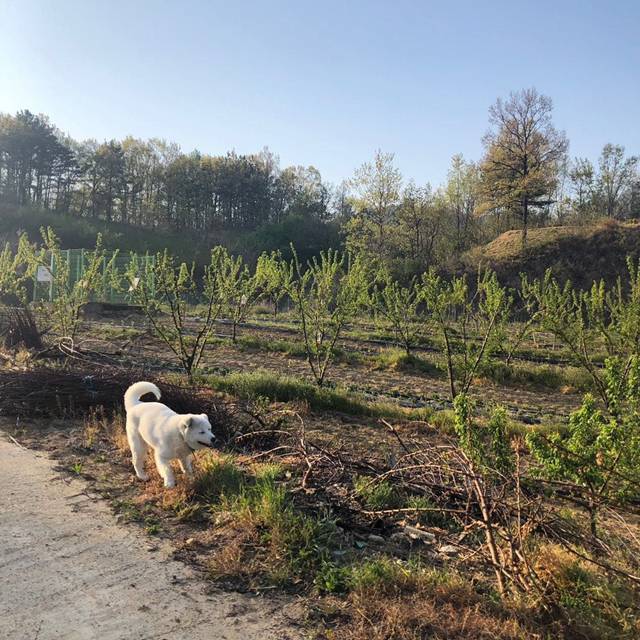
[69, 571]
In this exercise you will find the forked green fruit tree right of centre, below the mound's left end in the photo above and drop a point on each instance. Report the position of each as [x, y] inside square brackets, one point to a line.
[472, 325]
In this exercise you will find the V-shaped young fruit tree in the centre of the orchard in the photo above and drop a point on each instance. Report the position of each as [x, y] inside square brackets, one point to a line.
[326, 296]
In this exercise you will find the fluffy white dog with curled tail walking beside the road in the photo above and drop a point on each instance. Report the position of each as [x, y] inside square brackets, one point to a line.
[171, 436]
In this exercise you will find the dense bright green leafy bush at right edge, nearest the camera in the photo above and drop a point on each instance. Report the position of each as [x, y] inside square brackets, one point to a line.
[598, 458]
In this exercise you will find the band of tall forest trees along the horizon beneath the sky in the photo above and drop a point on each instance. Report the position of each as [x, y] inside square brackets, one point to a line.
[525, 179]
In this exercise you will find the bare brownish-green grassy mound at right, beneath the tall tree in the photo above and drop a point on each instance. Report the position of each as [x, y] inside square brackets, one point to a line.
[581, 254]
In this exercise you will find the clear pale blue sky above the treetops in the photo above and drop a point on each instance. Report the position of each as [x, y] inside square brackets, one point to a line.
[322, 82]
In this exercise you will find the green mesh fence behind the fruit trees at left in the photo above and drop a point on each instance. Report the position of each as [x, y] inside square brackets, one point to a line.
[112, 292]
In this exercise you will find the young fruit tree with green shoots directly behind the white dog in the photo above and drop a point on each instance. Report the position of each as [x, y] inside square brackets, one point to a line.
[168, 294]
